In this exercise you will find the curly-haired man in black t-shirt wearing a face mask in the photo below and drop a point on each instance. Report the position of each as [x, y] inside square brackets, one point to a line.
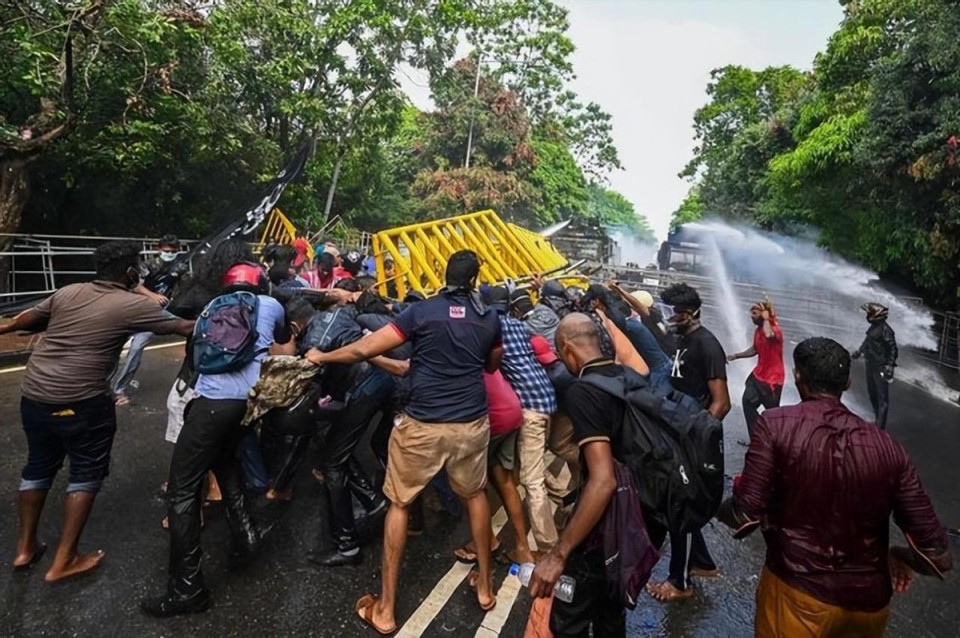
[699, 370]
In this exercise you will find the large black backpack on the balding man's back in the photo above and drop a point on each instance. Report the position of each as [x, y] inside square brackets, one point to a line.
[673, 447]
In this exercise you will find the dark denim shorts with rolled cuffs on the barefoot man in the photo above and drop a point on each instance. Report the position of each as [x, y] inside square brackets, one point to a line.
[81, 431]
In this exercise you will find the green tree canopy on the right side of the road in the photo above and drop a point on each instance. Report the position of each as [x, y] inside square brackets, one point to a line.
[862, 148]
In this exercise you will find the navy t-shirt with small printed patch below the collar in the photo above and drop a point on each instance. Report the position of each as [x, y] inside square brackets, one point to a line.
[451, 345]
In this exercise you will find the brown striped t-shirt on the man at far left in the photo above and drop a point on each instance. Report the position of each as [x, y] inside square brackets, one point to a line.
[87, 326]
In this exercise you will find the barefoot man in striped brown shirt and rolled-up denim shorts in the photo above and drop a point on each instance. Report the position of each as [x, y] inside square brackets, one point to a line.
[67, 407]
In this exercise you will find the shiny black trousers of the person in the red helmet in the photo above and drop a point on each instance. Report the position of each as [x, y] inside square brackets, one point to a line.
[209, 440]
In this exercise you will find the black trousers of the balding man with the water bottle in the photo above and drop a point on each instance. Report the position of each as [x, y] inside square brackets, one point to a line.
[592, 606]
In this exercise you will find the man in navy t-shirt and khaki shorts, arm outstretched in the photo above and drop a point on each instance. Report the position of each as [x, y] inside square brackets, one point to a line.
[444, 424]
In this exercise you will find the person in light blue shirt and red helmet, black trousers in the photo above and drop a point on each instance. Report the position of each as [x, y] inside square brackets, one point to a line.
[211, 434]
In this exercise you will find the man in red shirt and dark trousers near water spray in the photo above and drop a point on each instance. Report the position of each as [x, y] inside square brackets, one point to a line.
[765, 383]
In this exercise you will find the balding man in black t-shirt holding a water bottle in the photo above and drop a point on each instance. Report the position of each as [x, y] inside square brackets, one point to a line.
[593, 413]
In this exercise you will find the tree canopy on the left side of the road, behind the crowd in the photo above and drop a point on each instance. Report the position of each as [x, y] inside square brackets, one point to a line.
[153, 116]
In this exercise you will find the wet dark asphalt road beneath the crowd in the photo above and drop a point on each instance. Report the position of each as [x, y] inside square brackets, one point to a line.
[282, 595]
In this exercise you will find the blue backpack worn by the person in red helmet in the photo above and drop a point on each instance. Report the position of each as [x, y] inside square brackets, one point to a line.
[225, 335]
